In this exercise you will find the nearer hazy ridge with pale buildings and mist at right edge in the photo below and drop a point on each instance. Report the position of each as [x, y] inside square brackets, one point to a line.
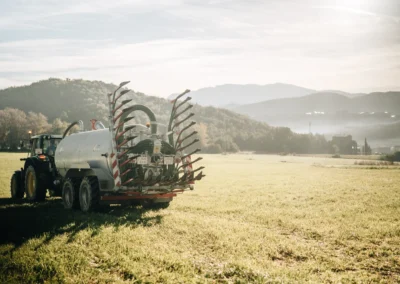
[331, 113]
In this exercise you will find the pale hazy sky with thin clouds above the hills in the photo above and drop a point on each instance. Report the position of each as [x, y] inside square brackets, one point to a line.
[168, 46]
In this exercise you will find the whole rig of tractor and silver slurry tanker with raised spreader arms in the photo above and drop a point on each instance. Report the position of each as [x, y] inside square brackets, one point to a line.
[124, 162]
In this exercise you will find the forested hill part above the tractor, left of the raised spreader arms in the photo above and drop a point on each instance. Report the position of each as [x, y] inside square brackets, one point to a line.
[69, 100]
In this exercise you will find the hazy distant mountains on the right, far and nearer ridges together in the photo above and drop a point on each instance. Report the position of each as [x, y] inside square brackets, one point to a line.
[306, 110]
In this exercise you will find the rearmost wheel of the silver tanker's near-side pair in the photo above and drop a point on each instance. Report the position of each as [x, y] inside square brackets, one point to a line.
[89, 194]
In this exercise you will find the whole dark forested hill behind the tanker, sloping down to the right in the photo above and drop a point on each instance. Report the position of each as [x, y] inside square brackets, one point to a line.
[220, 129]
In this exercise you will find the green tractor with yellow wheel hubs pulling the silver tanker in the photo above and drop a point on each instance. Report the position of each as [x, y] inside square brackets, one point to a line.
[39, 171]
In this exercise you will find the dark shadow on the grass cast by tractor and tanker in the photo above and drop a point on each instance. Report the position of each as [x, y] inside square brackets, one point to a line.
[21, 221]
